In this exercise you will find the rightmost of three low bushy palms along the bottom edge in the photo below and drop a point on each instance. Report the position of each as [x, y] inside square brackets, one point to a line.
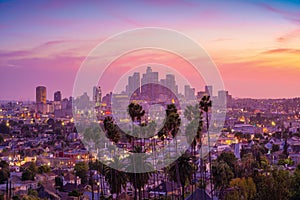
[181, 171]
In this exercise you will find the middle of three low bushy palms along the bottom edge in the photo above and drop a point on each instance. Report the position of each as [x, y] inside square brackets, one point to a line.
[137, 179]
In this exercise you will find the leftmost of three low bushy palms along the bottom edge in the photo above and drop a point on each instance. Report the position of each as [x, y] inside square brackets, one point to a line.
[115, 175]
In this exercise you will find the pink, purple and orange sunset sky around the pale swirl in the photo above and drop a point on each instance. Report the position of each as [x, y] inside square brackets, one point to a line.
[255, 45]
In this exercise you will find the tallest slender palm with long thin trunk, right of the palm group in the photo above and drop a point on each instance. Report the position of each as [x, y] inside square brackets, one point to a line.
[205, 104]
